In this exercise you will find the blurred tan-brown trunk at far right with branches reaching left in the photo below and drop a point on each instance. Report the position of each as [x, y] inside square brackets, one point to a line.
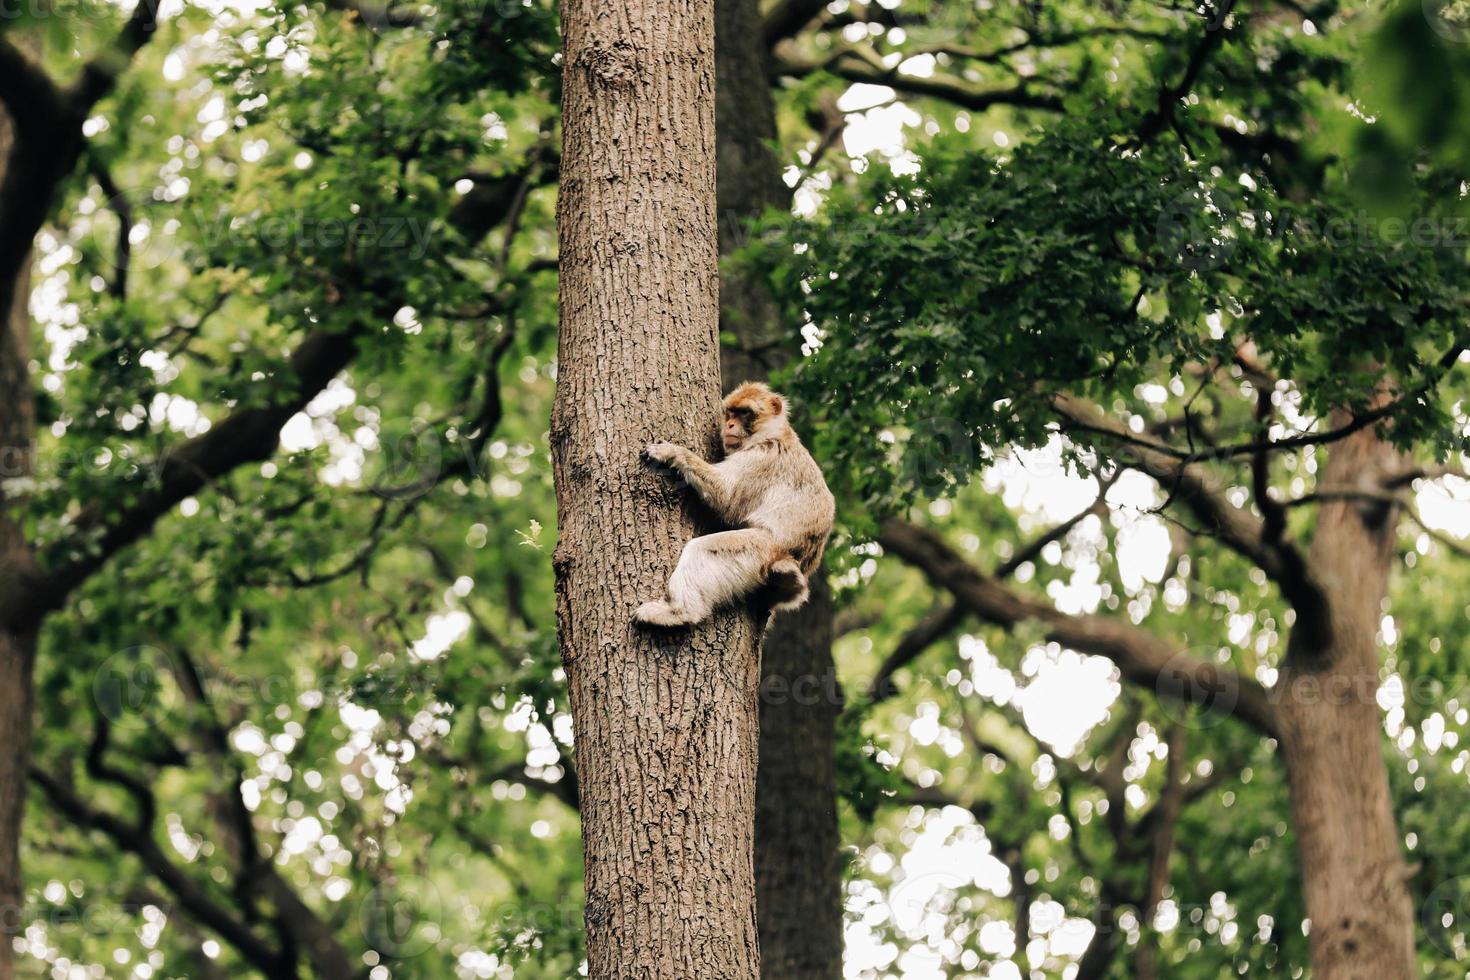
[1331, 728]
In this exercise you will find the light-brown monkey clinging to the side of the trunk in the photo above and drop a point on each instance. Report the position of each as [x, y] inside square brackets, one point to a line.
[772, 491]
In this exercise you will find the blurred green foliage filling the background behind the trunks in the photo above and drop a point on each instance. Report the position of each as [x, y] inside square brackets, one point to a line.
[345, 663]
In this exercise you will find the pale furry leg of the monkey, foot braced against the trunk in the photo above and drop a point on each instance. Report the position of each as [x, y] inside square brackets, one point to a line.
[712, 571]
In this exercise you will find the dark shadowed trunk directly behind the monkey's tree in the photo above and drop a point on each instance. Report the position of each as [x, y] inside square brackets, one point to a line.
[799, 872]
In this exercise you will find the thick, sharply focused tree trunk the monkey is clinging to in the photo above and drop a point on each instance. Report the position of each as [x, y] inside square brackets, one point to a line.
[667, 724]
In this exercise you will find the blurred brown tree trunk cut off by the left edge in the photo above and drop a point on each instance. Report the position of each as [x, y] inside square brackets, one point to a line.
[17, 635]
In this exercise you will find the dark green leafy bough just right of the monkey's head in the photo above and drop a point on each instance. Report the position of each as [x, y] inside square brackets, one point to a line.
[955, 305]
